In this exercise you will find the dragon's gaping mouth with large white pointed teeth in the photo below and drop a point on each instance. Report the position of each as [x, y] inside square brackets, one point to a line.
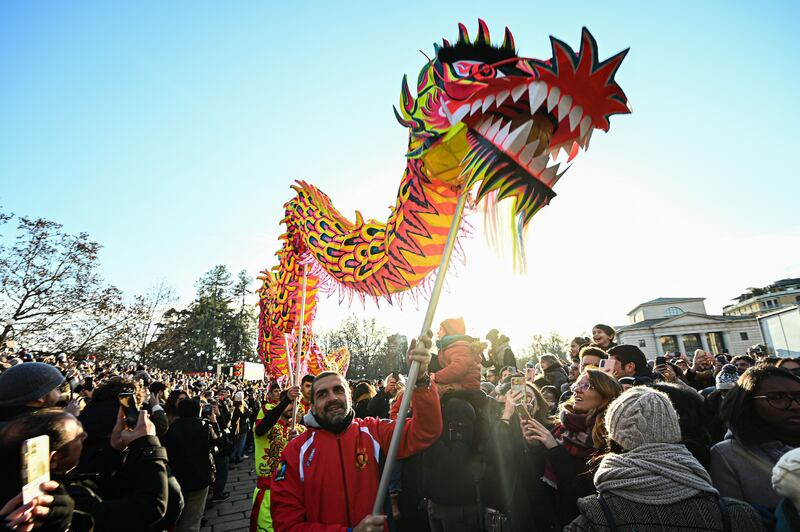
[523, 122]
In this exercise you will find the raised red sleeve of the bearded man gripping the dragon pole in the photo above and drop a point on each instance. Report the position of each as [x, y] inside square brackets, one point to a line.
[420, 431]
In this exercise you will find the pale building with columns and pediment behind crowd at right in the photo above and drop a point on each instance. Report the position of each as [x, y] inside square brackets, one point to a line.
[681, 325]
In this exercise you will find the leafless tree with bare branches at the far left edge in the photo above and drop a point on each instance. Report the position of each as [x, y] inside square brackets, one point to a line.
[51, 296]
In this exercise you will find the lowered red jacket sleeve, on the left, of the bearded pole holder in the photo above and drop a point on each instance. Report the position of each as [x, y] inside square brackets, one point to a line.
[286, 498]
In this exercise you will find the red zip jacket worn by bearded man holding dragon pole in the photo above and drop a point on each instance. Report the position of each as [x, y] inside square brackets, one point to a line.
[327, 482]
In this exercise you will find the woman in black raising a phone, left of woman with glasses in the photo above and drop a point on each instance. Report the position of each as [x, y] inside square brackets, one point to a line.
[513, 483]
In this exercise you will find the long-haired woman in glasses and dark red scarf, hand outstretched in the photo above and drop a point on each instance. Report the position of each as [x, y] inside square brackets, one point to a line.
[576, 439]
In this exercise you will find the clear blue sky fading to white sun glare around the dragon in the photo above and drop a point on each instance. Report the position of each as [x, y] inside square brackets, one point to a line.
[171, 132]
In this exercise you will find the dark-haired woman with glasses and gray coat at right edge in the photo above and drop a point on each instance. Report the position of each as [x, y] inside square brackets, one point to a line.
[763, 415]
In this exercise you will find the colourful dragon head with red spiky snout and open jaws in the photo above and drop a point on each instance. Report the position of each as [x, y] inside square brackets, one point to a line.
[485, 114]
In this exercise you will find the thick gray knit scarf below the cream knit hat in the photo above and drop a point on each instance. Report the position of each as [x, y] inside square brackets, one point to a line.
[655, 473]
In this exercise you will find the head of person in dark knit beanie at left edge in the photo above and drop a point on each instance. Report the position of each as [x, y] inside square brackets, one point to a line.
[28, 387]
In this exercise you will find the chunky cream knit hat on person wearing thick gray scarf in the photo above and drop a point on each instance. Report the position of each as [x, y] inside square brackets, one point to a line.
[640, 416]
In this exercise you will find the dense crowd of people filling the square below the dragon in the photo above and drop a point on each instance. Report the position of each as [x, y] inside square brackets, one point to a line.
[602, 439]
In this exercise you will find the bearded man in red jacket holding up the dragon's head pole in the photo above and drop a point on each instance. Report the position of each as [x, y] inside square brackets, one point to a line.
[328, 476]
